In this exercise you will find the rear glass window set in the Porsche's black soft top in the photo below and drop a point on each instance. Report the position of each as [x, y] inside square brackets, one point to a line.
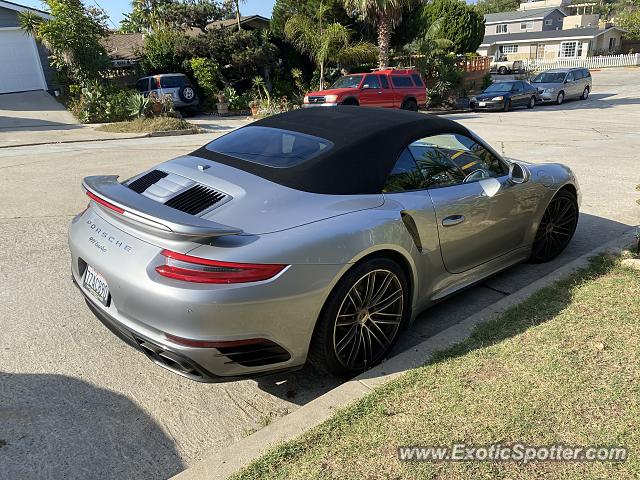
[271, 147]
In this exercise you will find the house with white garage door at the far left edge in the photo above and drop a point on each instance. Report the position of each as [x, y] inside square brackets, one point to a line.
[24, 61]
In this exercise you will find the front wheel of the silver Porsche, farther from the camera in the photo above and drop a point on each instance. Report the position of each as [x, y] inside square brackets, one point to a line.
[557, 226]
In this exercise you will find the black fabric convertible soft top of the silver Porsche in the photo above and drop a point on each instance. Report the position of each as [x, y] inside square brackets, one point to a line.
[367, 143]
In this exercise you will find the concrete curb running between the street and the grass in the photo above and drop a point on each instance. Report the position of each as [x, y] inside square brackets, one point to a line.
[222, 463]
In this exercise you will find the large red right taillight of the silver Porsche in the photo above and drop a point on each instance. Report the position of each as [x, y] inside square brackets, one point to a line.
[201, 270]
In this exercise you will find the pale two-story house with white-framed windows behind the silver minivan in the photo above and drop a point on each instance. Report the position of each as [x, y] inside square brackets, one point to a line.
[560, 31]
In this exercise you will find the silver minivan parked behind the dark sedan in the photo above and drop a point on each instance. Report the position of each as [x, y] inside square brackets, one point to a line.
[560, 84]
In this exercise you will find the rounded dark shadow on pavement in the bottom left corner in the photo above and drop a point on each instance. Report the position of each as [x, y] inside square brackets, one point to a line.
[54, 426]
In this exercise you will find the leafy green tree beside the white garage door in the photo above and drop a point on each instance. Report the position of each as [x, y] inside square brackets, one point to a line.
[72, 35]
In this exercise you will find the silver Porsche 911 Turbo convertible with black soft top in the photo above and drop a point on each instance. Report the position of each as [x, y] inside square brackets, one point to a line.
[315, 234]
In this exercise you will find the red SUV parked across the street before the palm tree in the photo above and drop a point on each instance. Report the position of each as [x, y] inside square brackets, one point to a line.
[391, 88]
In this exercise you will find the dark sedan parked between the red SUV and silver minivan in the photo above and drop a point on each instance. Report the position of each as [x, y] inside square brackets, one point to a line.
[504, 95]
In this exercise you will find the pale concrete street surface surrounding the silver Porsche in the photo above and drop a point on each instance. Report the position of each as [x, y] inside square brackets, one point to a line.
[75, 402]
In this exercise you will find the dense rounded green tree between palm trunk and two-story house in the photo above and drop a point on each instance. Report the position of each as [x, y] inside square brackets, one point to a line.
[460, 23]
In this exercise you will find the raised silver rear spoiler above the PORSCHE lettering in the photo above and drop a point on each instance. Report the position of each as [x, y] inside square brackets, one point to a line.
[163, 220]
